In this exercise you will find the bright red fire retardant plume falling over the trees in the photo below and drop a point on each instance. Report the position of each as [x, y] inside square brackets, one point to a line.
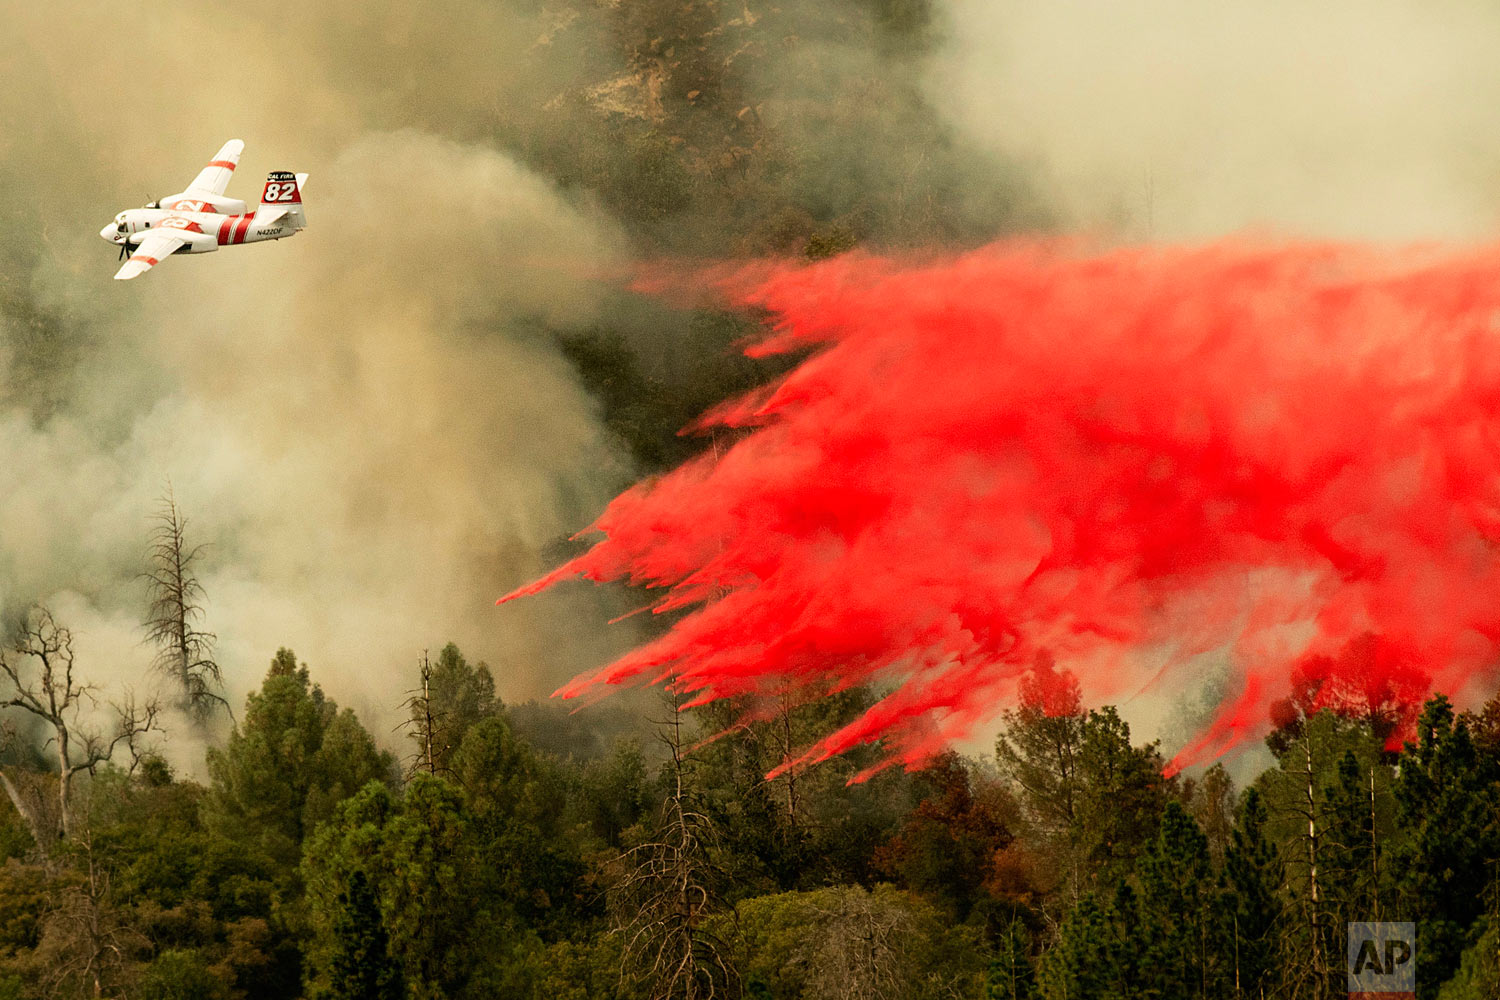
[1279, 464]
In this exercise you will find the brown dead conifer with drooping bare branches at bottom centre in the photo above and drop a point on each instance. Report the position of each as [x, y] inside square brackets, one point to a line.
[668, 888]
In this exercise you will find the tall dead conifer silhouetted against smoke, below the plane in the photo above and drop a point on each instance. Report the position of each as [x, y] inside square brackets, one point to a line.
[185, 653]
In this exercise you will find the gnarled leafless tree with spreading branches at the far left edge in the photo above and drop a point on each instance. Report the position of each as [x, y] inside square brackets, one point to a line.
[37, 677]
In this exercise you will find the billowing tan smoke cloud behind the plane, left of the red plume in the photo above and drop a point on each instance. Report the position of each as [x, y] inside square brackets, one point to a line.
[368, 424]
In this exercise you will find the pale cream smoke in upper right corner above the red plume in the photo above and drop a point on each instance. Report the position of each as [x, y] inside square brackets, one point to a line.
[1169, 119]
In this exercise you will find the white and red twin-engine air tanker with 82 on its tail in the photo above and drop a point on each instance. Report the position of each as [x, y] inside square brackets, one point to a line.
[202, 220]
